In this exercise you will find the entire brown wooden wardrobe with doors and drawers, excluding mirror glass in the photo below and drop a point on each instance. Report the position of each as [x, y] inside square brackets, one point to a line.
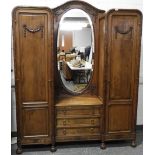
[47, 113]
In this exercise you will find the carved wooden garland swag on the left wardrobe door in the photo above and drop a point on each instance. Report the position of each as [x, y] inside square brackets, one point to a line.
[39, 28]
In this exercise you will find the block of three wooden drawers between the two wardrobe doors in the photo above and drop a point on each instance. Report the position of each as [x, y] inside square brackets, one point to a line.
[78, 122]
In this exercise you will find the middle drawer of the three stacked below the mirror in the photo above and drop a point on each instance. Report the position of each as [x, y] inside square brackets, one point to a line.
[78, 122]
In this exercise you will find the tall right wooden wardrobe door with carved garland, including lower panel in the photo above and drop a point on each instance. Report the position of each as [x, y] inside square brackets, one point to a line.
[123, 49]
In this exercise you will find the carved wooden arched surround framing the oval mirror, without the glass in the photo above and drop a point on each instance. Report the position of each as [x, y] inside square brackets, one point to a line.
[91, 88]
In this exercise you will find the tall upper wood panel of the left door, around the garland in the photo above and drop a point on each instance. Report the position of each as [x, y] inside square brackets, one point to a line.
[33, 57]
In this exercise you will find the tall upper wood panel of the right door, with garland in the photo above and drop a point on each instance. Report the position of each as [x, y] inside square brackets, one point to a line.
[122, 57]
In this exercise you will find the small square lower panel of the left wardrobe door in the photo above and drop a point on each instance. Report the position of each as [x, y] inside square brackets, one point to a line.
[35, 122]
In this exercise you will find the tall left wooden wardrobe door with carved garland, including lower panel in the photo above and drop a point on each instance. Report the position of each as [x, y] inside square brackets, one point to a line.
[32, 34]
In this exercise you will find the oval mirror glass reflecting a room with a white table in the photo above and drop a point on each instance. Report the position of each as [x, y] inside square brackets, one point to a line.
[75, 48]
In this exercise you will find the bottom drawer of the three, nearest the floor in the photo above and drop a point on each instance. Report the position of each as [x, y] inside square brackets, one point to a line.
[77, 131]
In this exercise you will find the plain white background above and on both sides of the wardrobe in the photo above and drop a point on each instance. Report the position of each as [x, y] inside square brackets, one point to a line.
[149, 60]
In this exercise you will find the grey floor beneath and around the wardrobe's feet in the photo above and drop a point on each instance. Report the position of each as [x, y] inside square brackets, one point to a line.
[85, 148]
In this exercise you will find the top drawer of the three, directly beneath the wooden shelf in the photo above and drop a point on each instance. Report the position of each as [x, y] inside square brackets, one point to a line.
[80, 111]
